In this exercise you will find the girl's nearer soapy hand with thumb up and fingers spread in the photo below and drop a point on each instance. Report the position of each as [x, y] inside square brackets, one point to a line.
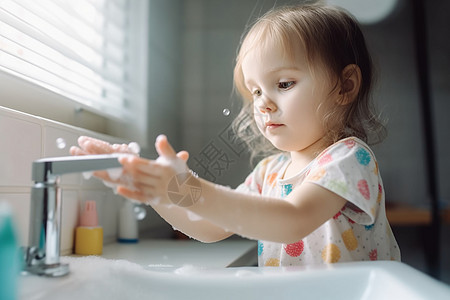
[151, 178]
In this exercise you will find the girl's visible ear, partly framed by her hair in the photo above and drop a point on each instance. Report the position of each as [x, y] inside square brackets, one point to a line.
[349, 84]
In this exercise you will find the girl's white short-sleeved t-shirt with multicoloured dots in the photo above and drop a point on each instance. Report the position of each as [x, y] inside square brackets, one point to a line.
[360, 231]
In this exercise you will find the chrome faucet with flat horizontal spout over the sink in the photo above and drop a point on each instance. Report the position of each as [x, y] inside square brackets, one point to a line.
[42, 255]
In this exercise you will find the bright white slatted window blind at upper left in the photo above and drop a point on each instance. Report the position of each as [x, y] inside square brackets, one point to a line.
[80, 49]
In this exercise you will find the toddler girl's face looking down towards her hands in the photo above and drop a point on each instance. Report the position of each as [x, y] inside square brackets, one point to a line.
[287, 97]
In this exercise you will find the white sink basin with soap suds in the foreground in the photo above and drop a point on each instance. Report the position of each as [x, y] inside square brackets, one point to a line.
[100, 278]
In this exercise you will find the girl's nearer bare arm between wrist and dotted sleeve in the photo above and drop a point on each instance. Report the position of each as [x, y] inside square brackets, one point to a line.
[279, 220]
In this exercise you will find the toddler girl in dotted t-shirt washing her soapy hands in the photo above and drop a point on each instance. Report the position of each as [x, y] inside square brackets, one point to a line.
[305, 75]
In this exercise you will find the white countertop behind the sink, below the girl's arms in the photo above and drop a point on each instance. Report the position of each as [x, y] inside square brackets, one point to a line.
[176, 253]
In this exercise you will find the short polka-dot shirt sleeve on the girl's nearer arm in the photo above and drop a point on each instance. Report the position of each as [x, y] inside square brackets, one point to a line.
[349, 169]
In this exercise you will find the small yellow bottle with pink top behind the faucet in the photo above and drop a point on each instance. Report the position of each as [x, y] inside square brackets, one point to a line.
[89, 236]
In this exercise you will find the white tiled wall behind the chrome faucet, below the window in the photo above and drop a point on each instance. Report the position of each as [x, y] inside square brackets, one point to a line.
[25, 138]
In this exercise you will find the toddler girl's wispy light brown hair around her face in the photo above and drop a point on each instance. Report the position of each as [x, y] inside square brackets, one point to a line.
[333, 40]
